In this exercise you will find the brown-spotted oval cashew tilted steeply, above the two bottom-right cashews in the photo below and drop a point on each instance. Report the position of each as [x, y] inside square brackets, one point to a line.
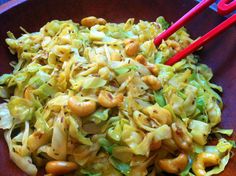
[181, 136]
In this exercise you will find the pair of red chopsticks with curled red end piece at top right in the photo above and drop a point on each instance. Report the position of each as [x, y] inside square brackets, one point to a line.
[224, 7]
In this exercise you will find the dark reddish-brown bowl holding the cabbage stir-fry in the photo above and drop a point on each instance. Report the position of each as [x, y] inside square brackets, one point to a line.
[218, 54]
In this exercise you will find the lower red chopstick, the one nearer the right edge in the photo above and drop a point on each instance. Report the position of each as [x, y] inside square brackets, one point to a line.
[204, 39]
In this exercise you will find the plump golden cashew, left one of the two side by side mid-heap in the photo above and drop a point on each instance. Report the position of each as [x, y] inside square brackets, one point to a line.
[82, 109]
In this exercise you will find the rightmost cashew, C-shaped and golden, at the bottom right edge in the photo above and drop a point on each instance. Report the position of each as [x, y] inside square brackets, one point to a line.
[204, 160]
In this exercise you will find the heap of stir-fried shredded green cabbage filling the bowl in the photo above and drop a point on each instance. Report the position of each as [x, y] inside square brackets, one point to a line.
[54, 110]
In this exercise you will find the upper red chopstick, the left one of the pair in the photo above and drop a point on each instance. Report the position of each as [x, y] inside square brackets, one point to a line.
[183, 20]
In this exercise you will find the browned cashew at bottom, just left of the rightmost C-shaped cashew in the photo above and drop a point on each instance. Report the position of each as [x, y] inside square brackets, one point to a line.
[175, 165]
